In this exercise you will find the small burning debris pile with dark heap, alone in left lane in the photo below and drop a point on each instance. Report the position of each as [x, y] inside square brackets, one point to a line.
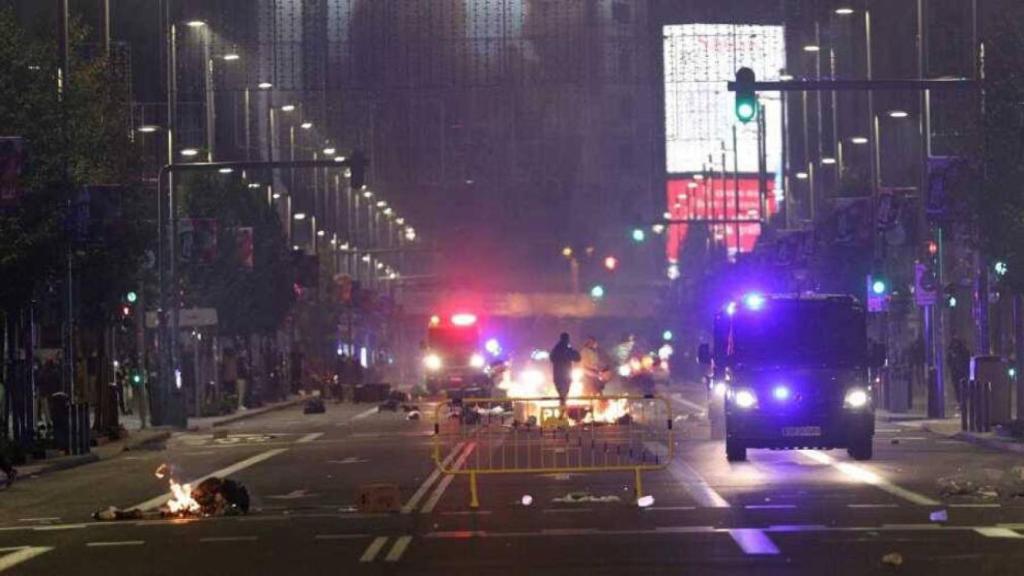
[211, 498]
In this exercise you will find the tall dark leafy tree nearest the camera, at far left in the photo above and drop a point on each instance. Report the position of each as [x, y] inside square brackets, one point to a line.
[76, 138]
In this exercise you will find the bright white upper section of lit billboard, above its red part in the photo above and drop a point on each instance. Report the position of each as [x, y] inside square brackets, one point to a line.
[700, 59]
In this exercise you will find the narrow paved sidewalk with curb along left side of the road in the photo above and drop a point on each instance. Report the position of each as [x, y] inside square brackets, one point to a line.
[139, 438]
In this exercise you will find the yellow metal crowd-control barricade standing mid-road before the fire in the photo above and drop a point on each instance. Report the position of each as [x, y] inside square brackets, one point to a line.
[503, 436]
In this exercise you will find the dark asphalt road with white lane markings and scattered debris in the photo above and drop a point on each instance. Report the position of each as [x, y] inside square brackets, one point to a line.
[782, 513]
